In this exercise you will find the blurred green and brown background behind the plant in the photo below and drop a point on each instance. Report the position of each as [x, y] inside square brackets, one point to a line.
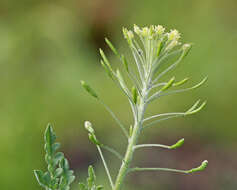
[47, 47]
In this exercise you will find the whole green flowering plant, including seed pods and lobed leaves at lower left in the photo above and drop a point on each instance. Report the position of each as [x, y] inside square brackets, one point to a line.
[155, 54]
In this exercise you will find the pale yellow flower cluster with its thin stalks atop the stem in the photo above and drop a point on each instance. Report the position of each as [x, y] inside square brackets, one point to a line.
[155, 46]
